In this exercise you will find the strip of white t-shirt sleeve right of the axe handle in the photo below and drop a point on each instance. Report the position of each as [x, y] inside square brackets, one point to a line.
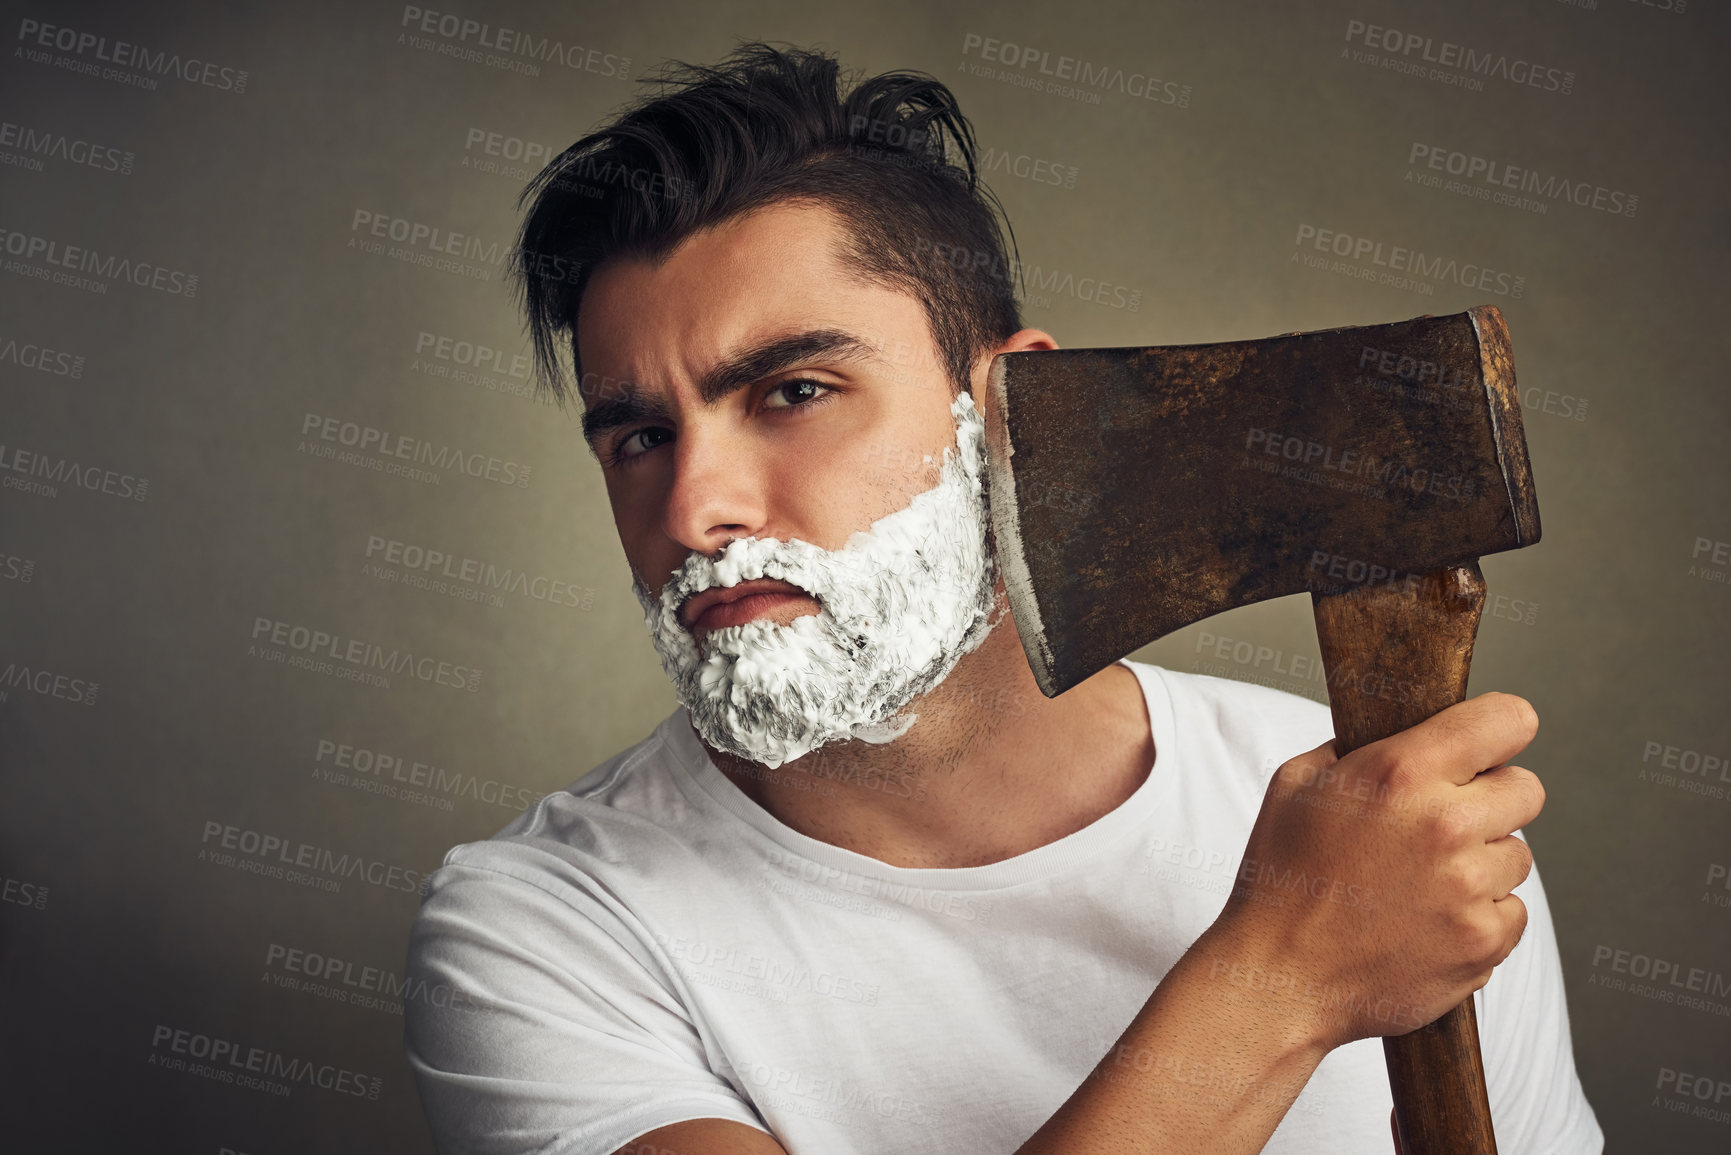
[1536, 1099]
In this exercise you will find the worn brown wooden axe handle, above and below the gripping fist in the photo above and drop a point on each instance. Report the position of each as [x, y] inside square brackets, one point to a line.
[1396, 654]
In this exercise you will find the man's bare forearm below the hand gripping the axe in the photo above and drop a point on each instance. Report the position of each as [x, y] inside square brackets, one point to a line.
[1200, 1071]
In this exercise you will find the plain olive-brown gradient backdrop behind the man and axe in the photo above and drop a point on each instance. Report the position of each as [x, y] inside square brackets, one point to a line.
[1197, 209]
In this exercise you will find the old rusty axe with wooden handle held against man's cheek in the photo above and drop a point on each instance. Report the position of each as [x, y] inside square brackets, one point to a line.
[1136, 491]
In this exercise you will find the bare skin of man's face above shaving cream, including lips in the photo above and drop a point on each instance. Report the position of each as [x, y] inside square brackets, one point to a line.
[813, 444]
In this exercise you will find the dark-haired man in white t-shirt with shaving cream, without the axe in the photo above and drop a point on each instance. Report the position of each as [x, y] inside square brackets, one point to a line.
[868, 891]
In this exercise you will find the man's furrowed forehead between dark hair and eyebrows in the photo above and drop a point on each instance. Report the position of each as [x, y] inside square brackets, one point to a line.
[766, 274]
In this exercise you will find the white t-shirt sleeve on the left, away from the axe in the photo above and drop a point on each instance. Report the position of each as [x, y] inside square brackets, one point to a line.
[546, 1026]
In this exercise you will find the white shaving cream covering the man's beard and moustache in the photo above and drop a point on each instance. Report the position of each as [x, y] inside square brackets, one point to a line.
[901, 603]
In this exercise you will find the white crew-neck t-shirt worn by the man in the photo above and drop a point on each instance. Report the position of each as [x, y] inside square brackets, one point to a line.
[652, 946]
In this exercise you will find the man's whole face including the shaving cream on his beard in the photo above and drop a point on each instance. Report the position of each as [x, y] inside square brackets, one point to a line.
[780, 437]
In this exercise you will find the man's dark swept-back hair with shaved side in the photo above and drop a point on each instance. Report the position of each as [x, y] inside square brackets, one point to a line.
[896, 158]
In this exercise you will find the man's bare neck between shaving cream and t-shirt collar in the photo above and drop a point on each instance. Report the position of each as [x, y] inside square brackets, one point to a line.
[991, 768]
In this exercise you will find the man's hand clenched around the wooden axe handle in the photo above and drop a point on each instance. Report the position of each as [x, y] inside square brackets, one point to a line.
[1375, 889]
